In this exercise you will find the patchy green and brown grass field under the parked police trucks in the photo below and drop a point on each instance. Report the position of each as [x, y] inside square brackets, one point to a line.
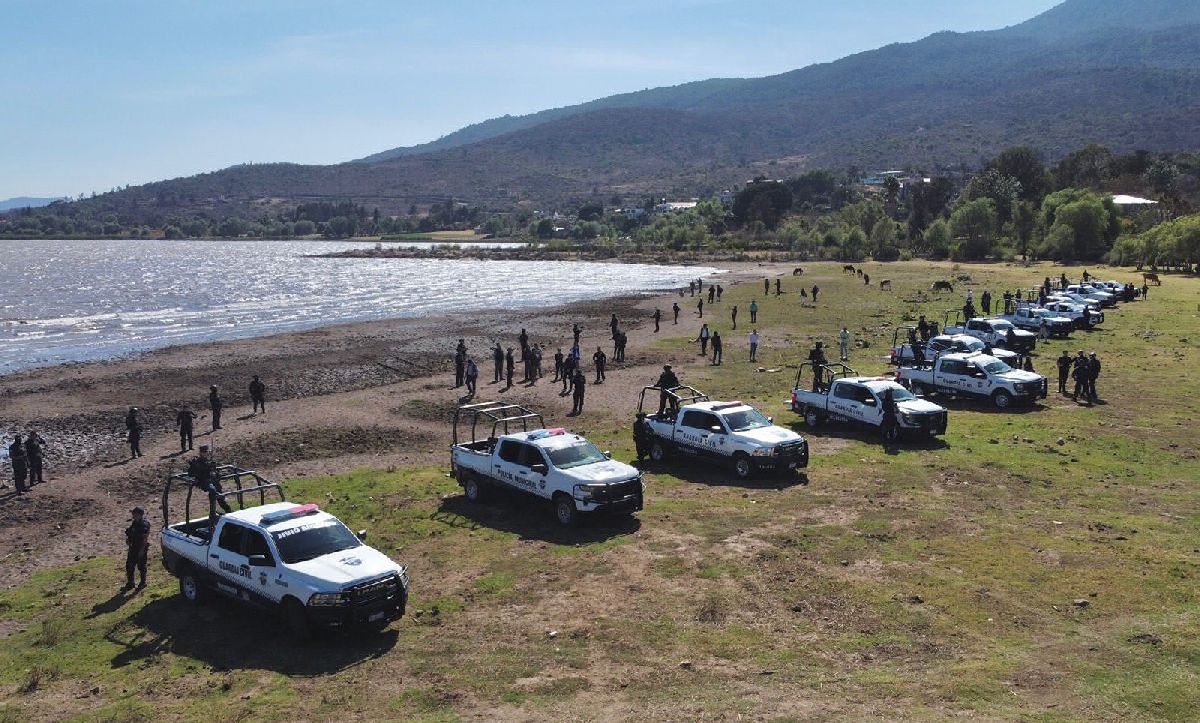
[1035, 565]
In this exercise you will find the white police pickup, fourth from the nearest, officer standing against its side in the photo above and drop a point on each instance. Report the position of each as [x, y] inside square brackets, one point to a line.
[842, 396]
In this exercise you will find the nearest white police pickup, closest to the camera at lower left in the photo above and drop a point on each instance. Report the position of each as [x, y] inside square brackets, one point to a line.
[278, 555]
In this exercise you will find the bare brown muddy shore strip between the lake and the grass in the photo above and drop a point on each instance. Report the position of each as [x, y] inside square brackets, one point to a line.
[375, 395]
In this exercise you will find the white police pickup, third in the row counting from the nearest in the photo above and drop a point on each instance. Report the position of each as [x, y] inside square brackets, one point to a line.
[729, 433]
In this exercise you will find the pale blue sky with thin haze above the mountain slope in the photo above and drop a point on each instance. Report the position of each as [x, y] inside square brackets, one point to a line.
[99, 94]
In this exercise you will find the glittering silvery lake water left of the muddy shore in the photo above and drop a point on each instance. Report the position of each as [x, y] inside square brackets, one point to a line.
[86, 301]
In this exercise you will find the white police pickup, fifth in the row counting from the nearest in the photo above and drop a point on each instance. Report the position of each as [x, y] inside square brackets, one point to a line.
[975, 375]
